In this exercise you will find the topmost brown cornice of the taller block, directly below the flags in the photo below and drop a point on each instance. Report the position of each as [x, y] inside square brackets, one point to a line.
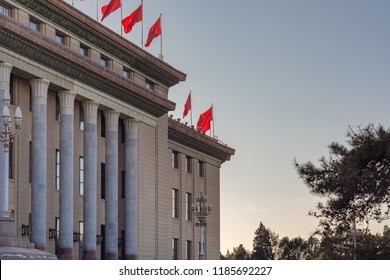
[76, 22]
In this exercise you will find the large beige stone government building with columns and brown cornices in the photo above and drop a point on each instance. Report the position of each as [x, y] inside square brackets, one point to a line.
[99, 169]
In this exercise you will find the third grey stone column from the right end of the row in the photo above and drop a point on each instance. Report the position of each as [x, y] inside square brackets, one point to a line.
[90, 181]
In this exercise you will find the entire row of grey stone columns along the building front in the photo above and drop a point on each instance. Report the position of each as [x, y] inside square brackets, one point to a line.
[39, 91]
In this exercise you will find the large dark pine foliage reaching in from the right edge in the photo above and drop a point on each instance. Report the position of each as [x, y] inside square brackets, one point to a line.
[354, 180]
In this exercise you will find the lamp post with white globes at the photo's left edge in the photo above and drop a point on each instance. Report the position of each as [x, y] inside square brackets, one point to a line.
[7, 136]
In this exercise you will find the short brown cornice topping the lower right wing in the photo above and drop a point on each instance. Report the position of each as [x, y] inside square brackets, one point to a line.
[183, 134]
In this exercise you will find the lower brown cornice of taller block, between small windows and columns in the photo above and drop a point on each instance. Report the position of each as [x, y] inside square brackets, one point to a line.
[35, 46]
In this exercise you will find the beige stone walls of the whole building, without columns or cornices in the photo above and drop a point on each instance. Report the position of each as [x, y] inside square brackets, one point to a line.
[156, 177]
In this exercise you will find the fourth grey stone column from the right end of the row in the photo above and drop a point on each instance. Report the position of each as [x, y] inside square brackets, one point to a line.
[65, 249]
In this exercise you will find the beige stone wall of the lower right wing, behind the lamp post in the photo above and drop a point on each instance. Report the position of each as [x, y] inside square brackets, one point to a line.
[191, 182]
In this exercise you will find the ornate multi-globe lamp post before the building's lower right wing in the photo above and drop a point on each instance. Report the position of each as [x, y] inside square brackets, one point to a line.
[201, 210]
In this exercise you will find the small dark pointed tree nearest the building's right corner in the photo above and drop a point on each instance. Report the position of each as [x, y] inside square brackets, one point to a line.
[264, 243]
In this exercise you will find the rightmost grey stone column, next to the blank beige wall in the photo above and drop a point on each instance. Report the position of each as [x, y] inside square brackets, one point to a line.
[131, 189]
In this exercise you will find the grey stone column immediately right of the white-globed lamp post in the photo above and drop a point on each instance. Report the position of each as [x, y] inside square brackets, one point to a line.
[39, 89]
